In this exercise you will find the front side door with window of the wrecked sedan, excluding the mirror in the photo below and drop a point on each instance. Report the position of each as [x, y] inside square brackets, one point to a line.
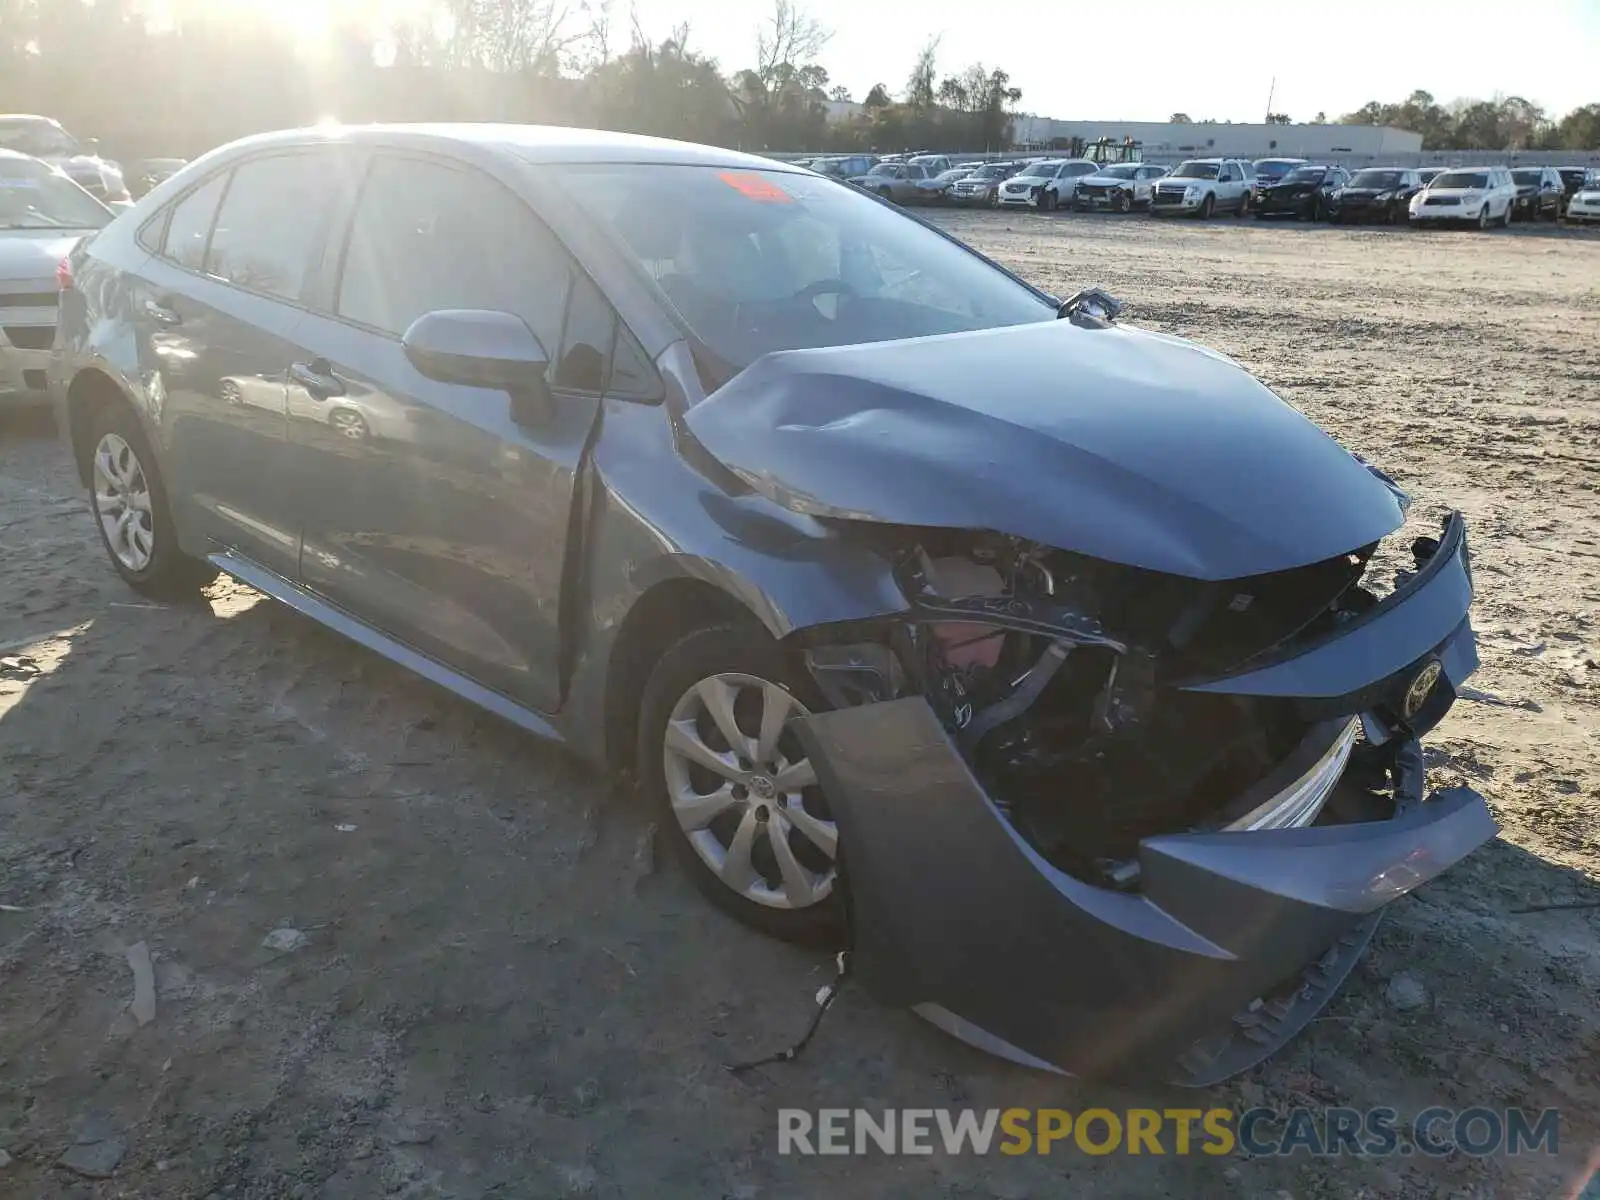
[439, 513]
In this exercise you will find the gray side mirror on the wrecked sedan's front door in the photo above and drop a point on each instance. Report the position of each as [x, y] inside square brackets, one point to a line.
[479, 348]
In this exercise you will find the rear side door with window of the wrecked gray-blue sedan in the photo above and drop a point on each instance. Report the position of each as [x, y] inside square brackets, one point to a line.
[218, 308]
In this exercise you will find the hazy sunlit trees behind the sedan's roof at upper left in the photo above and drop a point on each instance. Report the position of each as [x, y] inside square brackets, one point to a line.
[201, 74]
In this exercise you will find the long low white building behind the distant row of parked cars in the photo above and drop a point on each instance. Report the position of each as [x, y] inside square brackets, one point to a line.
[1162, 140]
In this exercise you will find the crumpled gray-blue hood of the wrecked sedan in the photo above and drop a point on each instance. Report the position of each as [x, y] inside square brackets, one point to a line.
[1121, 444]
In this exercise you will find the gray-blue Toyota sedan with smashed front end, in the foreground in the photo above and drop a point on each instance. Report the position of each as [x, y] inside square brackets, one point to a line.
[1052, 665]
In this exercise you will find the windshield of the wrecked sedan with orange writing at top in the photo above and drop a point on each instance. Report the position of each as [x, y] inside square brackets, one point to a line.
[761, 262]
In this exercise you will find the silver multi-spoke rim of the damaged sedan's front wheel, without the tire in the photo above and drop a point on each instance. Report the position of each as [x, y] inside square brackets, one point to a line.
[745, 793]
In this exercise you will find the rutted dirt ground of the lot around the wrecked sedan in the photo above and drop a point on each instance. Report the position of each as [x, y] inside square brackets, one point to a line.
[503, 996]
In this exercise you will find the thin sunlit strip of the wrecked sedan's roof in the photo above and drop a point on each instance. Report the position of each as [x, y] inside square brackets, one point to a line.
[530, 143]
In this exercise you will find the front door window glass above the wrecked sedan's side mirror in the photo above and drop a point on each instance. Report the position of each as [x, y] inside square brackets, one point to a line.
[433, 236]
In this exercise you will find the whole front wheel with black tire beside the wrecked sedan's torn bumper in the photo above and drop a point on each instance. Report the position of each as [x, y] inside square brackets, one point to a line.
[738, 666]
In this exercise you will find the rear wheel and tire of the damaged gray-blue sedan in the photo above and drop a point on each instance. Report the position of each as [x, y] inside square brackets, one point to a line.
[132, 513]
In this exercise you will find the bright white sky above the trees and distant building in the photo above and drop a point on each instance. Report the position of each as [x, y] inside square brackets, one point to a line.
[1146, 60]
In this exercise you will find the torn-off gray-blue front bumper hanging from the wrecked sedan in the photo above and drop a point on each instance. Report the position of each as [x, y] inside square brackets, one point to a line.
[1234, 938]
